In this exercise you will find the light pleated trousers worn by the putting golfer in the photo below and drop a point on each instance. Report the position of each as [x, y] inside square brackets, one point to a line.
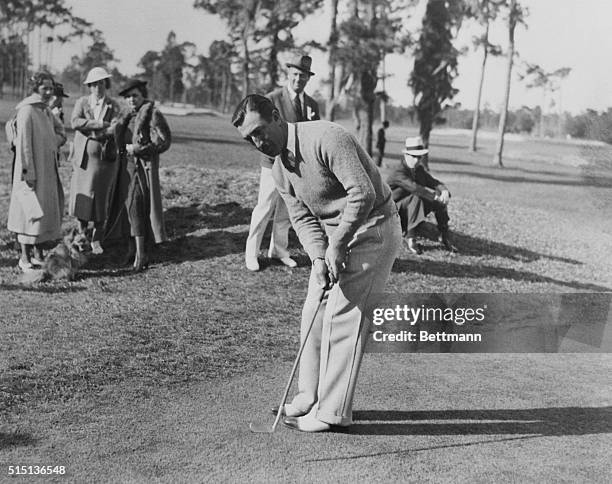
[332, 355]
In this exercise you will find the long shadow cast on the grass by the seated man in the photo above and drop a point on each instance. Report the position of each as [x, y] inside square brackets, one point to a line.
[477, 246]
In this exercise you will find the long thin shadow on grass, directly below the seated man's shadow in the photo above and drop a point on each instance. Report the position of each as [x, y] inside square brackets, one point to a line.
[469, 271]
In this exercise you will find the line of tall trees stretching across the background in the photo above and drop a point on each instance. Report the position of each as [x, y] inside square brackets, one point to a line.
[260, 32]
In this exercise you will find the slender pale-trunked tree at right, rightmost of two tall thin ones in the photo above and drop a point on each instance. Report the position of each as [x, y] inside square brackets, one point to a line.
[485, 12]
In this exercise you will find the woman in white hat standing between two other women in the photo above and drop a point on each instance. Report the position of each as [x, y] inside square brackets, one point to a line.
[94, 167]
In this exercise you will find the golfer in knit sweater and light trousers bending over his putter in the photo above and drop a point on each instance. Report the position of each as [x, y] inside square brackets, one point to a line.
[346, 220]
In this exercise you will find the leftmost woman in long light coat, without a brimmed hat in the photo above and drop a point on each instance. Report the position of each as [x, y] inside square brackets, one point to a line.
[37, 197]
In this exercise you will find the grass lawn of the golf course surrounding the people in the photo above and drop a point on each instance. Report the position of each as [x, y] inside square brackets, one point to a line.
[91, 364]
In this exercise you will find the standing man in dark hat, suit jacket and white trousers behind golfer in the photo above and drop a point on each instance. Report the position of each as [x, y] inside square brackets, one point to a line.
[295, 106]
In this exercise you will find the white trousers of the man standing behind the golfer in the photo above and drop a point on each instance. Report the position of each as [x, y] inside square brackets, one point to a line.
[269, 202]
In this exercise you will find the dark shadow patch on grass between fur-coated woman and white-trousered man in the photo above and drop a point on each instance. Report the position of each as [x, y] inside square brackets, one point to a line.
[183, 220]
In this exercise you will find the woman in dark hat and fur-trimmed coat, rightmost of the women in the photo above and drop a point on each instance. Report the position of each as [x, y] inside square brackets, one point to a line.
[142, 135]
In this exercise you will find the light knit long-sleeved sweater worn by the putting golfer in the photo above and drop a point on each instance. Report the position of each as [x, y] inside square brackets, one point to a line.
[330, 185]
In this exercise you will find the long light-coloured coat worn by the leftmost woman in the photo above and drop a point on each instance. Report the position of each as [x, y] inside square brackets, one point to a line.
[37, 147]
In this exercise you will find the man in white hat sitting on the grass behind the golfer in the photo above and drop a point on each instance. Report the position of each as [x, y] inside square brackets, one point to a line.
[417, 193]
